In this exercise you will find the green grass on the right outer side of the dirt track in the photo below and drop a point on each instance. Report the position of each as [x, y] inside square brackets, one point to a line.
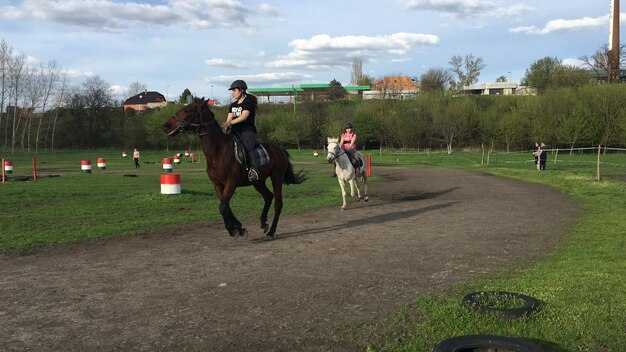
[581, 286]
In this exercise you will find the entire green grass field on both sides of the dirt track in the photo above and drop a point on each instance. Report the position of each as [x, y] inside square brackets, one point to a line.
[581, 285]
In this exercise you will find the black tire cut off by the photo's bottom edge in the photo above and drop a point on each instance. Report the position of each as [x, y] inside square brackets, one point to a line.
[486, 343]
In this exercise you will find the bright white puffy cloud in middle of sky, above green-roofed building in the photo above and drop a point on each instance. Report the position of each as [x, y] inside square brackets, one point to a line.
[324, 51]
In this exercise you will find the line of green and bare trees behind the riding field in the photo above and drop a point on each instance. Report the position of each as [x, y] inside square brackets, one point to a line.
[40, 109]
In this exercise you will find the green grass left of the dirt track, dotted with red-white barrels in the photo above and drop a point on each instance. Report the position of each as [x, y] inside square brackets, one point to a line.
[75, 206]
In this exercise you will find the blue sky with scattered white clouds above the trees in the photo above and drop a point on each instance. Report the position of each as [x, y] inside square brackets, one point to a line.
[203, 45]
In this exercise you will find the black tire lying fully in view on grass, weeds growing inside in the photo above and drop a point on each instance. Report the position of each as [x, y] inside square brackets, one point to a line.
[530, 304]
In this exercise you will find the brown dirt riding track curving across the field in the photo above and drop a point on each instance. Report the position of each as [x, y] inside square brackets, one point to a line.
[193, 288]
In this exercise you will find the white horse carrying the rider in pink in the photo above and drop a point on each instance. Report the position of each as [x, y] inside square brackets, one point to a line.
[345, 171]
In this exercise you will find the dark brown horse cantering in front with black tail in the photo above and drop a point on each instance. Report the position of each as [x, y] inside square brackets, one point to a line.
[224, 170]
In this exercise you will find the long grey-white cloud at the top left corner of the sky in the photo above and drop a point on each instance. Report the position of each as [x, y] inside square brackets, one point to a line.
[110, 15]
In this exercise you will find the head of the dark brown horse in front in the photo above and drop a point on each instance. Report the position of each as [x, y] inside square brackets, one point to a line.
[190, 119]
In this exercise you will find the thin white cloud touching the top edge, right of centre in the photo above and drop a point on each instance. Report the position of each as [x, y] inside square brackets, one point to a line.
[469, 8]
